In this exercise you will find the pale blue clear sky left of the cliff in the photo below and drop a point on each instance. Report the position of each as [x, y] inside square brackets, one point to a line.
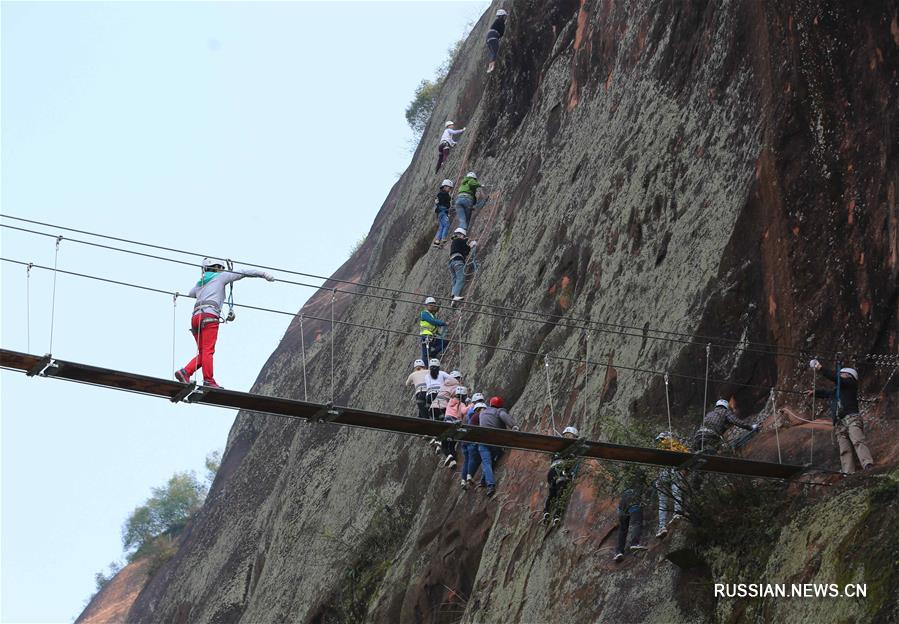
[270, 132]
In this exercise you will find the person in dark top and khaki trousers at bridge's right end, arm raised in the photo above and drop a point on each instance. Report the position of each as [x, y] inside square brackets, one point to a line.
[848, 427]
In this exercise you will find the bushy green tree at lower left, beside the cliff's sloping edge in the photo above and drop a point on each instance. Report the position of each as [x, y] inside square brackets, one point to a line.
[166, 512]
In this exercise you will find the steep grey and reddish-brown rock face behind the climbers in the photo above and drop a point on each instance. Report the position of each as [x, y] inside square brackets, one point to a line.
[673, 173]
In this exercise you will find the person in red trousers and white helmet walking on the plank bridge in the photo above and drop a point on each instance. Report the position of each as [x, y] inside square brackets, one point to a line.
[204, 323]
